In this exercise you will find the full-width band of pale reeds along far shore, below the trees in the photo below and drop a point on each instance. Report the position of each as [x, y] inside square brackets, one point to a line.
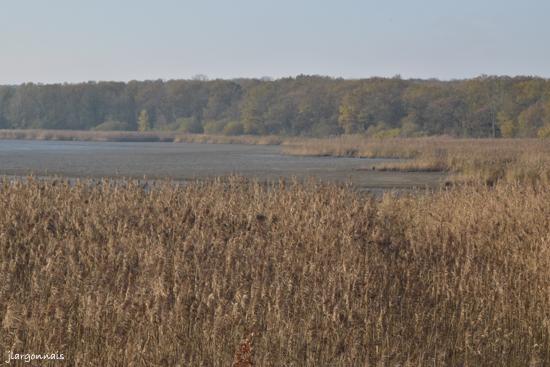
[466, 160]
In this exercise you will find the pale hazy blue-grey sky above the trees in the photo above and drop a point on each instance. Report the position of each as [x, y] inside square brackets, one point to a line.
[59, 41]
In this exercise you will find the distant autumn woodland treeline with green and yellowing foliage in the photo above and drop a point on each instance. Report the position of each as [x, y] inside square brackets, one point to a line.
[306, 105]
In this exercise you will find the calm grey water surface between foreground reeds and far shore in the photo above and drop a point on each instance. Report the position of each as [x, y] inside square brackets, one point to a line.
[184, 161]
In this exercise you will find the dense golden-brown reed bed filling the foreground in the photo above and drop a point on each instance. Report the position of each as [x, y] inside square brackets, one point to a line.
[286, 274]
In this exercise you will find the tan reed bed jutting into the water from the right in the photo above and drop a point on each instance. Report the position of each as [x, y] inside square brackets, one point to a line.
[467, 160]
